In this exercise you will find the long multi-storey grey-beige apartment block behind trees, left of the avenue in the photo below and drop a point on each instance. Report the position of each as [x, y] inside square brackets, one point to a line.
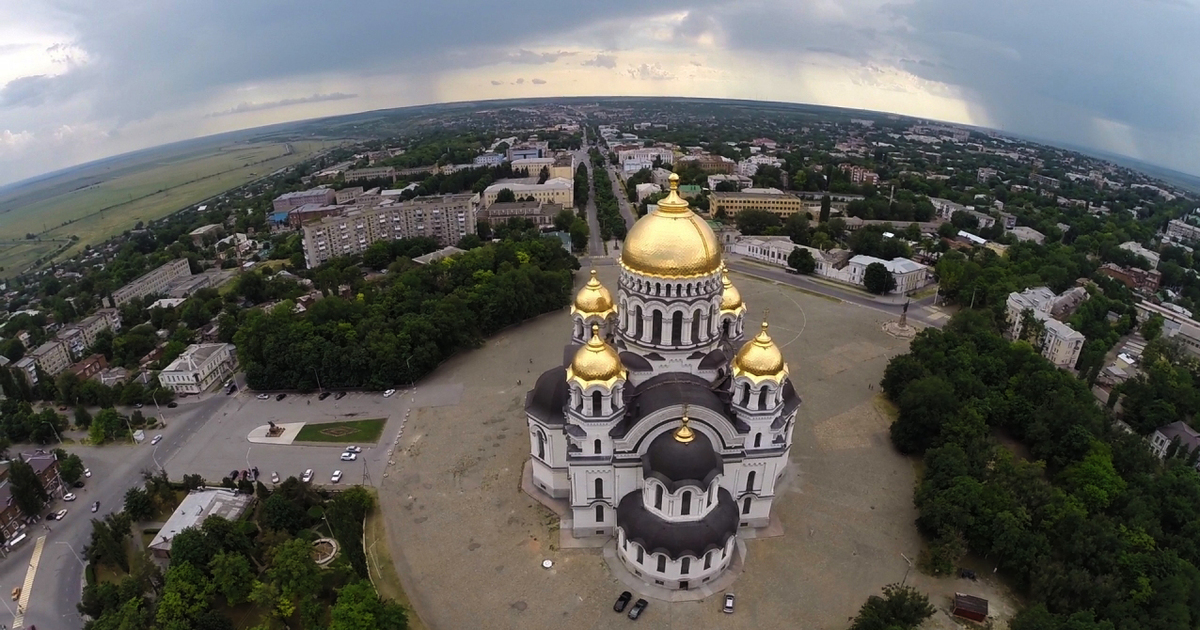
[448, 219]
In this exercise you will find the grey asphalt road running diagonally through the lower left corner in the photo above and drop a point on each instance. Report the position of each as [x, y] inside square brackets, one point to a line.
[58, 579]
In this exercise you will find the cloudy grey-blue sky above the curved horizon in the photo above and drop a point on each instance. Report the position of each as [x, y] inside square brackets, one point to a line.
[85, 80]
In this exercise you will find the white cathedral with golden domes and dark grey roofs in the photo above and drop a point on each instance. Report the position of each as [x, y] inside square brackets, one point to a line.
[665, 428]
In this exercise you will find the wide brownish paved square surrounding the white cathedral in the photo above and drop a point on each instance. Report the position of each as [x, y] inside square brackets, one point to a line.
[470, 545]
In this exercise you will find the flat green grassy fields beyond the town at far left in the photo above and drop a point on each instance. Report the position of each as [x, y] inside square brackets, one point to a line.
[104, 202]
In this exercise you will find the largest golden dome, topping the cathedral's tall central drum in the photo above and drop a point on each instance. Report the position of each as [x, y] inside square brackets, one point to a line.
[671, 242]
